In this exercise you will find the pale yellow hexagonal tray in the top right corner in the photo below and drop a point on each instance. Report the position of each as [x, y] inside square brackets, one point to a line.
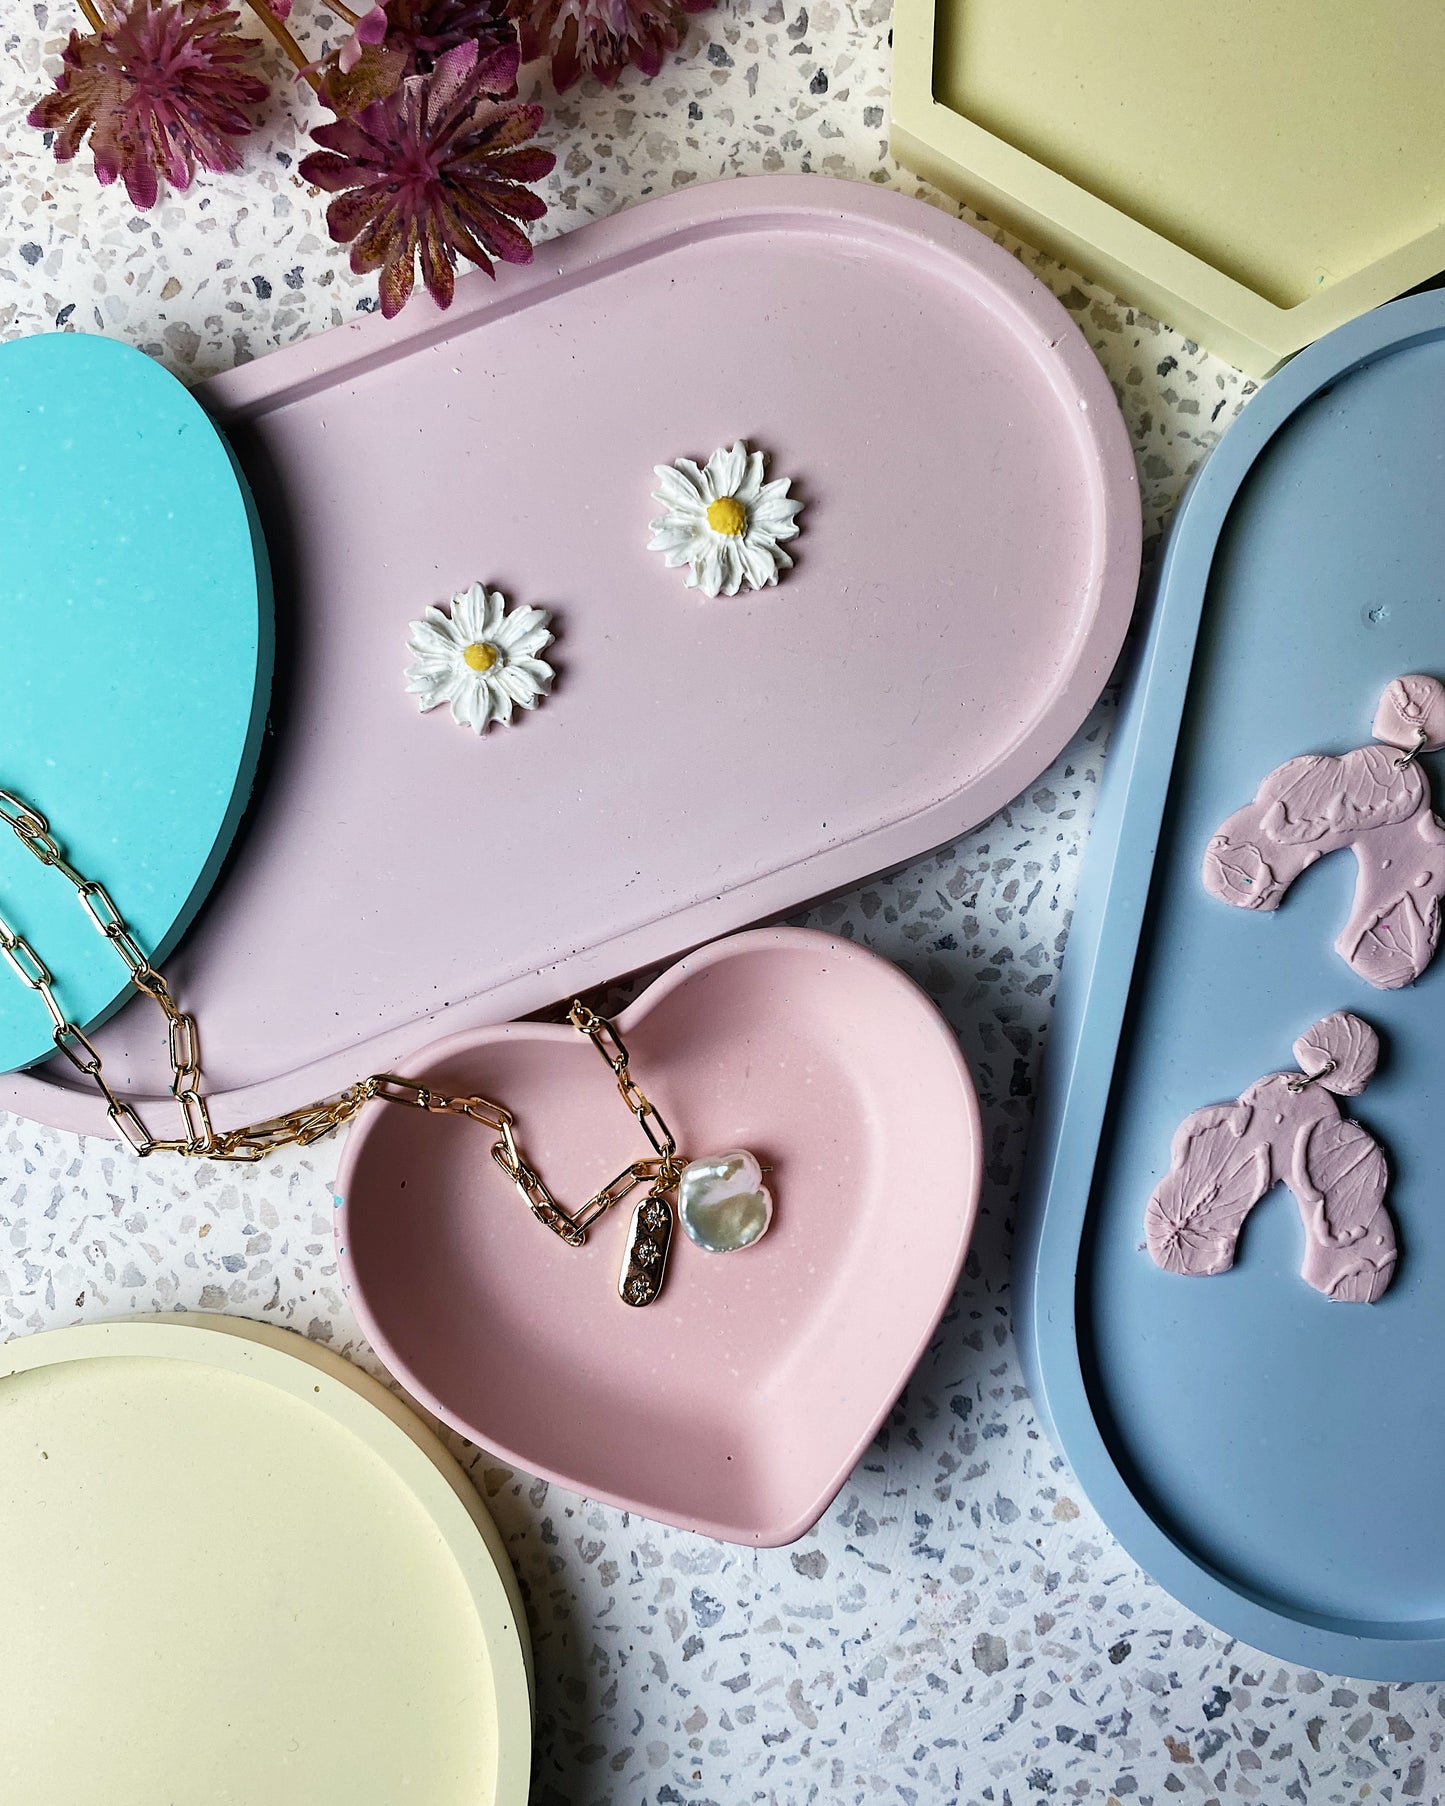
[1251, 174]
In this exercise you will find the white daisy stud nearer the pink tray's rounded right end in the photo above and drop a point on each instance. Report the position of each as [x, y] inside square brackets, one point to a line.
[723, 521]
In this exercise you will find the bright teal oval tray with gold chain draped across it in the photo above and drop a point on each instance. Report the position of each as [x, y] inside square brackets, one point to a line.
[136, 673]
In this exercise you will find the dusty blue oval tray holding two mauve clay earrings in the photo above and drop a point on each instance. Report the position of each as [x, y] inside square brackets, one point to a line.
[1269, 1457]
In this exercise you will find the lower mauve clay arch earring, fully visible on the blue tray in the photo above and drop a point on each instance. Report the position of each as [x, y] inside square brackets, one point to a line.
[1285, 1128]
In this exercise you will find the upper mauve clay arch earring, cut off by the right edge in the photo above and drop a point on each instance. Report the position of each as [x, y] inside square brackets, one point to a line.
[1375, 801]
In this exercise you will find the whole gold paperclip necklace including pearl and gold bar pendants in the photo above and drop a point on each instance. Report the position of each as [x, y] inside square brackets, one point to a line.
[664, 1173]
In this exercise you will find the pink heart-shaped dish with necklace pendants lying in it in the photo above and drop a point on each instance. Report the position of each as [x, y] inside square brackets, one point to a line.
[740, 1402]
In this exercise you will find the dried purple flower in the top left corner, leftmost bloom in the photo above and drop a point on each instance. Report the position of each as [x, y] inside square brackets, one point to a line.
[160, 89]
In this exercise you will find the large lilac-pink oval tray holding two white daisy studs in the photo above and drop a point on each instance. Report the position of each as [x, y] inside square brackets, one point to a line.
[964, 581]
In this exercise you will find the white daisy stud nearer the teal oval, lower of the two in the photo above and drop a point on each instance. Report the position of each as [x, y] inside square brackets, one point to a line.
[480, 658]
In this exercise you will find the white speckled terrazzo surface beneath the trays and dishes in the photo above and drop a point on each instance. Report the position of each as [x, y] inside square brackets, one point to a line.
[960, 1626]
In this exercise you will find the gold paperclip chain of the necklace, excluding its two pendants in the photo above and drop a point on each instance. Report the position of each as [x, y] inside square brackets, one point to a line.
[254, 1142]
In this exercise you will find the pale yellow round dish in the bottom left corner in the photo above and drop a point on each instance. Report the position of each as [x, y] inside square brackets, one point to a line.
[236, 1569]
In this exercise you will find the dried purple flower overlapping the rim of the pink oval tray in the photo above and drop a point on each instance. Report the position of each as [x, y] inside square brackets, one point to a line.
[434, 172]
